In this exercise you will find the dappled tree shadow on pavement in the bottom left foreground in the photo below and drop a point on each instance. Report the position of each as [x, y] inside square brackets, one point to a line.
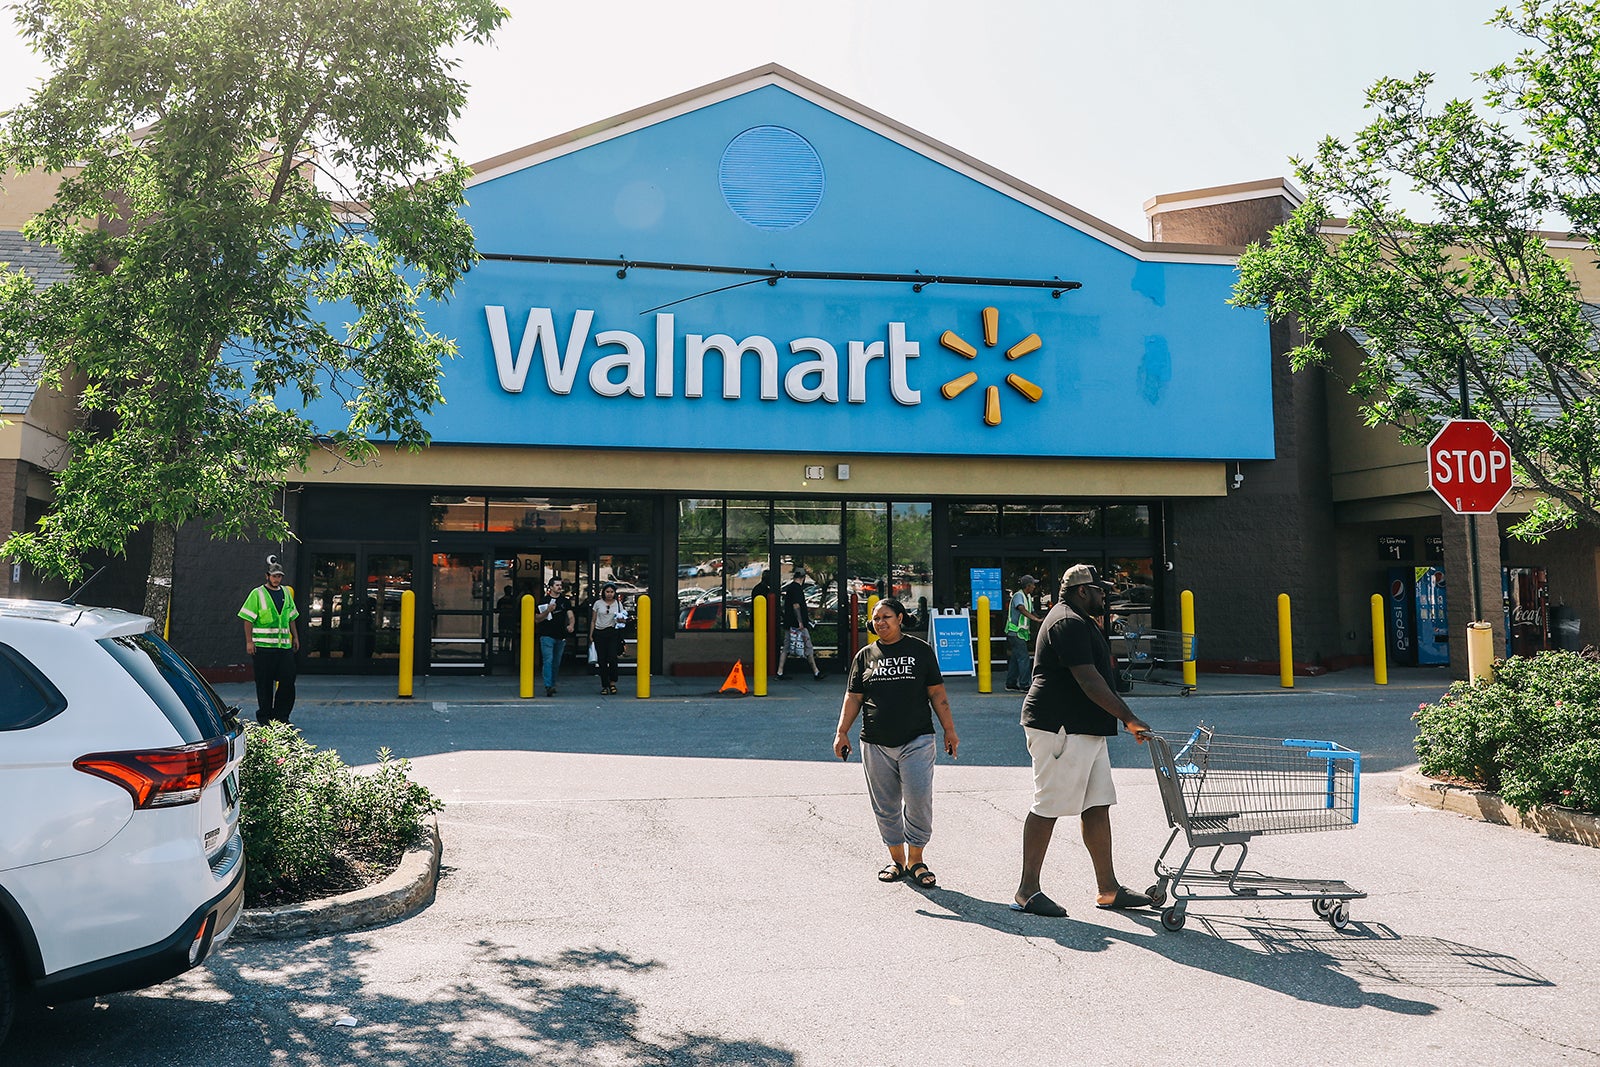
[281, 1004]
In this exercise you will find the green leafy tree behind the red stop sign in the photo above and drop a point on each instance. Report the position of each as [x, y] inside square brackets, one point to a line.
[1474, 290]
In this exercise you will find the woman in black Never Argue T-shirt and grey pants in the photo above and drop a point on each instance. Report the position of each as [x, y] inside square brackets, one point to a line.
[897, 682]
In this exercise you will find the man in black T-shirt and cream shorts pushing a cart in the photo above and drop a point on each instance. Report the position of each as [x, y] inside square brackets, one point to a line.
[1068, 716]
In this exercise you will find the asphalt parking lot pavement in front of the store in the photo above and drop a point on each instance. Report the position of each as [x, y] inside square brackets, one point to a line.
[690, 881]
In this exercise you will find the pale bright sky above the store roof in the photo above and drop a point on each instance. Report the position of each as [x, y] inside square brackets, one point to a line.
[1100, 103]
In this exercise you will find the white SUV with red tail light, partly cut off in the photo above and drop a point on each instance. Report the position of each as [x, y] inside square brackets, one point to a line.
[121, 858]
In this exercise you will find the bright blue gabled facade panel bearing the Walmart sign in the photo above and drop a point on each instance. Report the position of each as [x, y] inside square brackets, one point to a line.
[1146, 361]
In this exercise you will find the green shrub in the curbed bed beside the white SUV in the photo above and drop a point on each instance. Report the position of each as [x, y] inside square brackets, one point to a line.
[313, 826]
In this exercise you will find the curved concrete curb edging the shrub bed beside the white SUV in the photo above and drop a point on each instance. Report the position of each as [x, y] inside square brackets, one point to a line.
[402, 893]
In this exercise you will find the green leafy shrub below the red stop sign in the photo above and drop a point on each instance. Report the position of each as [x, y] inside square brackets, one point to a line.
[1532, 735]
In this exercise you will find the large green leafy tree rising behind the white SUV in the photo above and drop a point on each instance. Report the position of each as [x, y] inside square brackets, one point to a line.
[236, 177]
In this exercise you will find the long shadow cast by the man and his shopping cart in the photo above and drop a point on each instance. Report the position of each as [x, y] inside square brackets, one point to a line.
[1311, 964]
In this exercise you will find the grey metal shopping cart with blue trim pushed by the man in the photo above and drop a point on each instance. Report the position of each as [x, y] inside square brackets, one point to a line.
[1220, 793]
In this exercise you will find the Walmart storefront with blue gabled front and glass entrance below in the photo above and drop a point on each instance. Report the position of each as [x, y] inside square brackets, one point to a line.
[759, 326]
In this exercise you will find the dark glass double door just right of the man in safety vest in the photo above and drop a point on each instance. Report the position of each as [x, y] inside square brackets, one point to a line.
[353, 607]
